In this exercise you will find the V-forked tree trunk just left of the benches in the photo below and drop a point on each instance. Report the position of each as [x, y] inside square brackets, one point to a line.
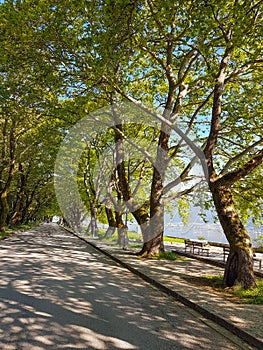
[151, 225]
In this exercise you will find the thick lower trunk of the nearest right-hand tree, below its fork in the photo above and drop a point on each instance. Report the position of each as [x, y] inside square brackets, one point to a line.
[239, 267]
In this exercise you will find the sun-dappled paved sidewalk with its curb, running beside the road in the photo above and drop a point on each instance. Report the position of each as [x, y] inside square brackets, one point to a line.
[172, 277]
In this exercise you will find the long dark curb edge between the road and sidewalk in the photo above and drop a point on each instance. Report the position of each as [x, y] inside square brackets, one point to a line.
[246, 337]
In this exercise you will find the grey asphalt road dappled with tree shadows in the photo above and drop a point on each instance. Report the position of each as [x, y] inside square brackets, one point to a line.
[58, 293]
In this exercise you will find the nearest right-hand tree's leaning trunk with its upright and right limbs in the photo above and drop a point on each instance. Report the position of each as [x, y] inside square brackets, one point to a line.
[239, 266]
